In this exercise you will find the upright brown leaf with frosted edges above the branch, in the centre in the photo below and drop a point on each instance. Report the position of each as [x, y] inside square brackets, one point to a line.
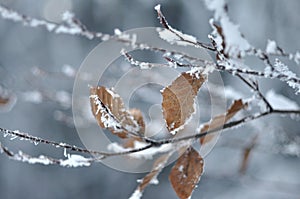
[178, 99]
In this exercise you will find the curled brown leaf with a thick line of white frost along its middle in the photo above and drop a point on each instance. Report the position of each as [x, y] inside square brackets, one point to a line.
[109, 111]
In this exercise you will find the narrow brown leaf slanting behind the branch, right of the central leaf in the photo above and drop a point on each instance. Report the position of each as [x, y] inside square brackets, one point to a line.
[220, 120]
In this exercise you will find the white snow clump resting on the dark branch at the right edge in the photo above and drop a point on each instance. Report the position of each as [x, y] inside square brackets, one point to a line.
[278, 101]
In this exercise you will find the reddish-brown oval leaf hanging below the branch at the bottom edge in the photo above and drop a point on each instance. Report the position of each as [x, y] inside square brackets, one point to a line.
[186, 173]
